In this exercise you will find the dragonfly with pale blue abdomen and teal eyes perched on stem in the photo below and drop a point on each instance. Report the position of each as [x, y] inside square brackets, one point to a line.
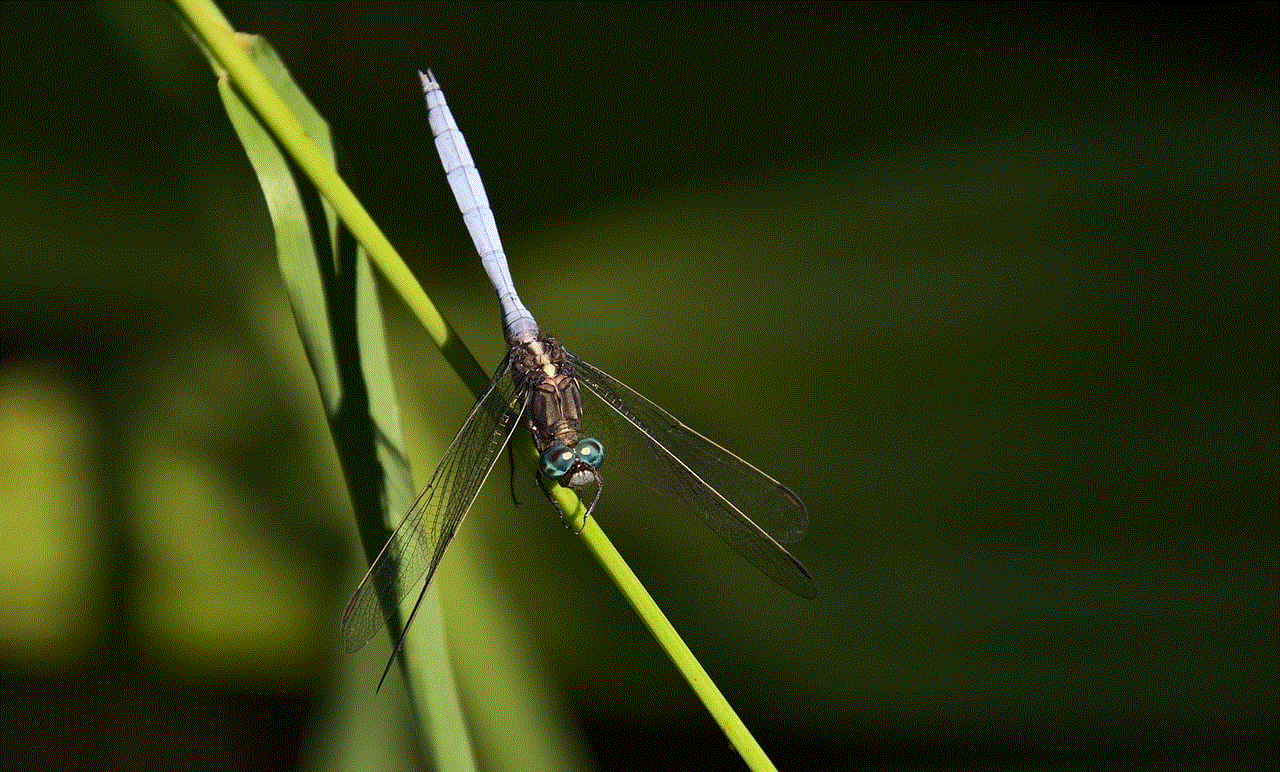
[542, 385]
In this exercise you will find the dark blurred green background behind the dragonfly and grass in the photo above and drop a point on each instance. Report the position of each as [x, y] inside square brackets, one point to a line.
[994, 289]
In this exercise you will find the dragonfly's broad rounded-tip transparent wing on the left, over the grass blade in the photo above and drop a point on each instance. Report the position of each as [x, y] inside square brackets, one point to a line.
[423, 536]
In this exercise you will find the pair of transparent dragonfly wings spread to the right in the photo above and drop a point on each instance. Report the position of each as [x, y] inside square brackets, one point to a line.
[744, 506]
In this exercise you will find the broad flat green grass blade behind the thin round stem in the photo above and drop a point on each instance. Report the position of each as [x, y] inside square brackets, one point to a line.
[331, 286]
